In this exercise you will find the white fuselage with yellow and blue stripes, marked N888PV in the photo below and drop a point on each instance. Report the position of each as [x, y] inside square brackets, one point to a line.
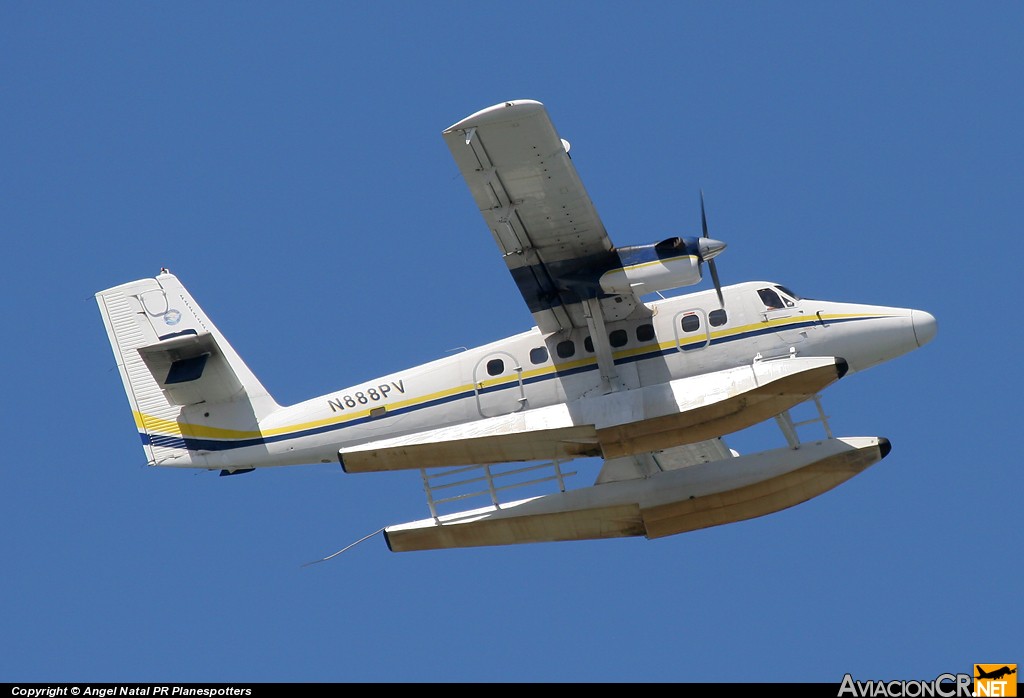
[687, 336]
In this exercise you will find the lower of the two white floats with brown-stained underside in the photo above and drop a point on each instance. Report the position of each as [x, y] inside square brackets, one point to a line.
[669, 503]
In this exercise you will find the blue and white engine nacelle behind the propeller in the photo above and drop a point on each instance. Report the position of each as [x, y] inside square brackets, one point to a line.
[648, 269]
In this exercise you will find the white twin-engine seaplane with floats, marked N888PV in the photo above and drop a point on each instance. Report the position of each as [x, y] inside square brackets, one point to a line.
[644, 385]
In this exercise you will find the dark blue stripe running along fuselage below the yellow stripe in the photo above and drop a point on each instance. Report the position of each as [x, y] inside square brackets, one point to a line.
[218, 445]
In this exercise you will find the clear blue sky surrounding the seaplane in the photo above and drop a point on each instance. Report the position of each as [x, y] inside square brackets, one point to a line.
[285, 161]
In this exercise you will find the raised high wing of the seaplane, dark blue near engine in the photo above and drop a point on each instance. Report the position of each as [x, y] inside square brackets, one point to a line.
[520, 172]
